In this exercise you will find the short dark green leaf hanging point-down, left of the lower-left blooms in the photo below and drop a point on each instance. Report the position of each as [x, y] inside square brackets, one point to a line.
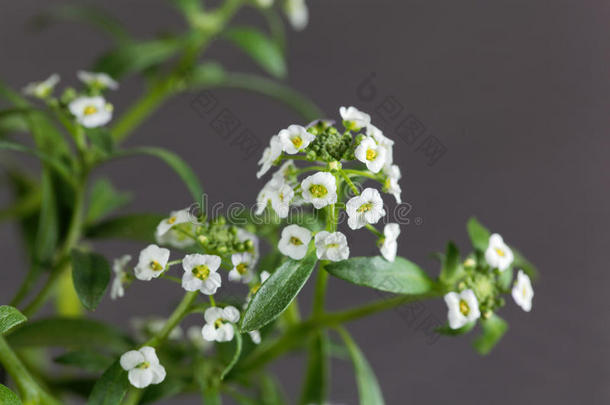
[91, 275]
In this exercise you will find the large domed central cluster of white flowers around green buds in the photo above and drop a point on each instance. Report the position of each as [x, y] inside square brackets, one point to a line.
[325, 184]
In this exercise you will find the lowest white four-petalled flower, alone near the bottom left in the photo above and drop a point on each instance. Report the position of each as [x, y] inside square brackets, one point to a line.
[143, 367]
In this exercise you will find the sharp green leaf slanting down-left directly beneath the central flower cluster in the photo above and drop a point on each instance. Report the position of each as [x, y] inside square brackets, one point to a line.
[277, 292]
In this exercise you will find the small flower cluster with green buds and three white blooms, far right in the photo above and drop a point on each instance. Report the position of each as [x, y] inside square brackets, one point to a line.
[479, 290]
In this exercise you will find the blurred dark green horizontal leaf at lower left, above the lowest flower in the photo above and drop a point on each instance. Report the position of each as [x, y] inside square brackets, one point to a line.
[69, 333]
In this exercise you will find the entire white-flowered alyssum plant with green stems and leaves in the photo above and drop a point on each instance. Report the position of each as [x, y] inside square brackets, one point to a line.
[328, 171]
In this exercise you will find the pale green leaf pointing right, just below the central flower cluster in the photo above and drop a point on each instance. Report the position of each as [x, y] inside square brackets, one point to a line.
[401, 276]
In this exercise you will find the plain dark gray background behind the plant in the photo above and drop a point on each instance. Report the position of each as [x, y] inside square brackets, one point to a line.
[517, 91]
